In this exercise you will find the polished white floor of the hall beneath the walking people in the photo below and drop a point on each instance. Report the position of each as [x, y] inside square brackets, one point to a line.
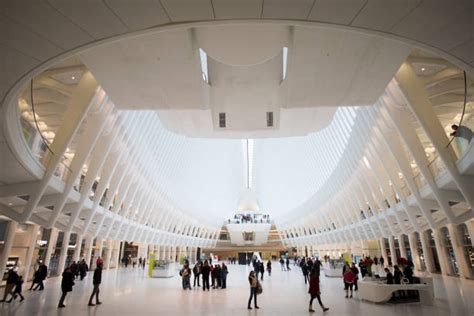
[129, 292]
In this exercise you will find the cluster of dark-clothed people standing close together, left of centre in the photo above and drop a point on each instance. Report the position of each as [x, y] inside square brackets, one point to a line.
[217, 273]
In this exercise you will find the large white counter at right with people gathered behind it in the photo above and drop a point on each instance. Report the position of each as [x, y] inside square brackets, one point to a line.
[378, 292]
